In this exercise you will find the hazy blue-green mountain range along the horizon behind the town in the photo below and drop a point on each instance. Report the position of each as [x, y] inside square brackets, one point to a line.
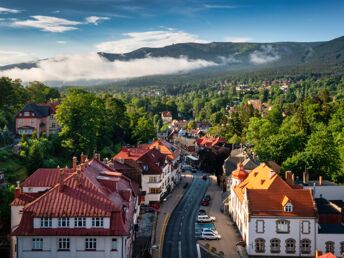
[228, 57]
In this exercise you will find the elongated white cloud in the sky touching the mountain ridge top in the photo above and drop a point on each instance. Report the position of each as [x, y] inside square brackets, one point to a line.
[135, 40]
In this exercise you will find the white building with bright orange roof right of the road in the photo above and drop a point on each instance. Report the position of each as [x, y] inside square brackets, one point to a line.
[273, 217]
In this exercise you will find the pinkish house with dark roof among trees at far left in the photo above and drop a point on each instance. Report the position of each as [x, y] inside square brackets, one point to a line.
[38, 118]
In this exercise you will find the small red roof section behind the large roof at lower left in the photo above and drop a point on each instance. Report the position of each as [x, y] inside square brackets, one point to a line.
[44, 177]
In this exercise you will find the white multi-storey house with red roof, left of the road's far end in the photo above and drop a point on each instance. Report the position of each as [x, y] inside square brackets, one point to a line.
[152, 166]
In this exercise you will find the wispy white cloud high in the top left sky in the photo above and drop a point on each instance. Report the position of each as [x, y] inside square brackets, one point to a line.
[48, 23]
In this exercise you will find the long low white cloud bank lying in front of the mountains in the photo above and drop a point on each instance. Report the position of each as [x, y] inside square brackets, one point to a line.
[94, 67]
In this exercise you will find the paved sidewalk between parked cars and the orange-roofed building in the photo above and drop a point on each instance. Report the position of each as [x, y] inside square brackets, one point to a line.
[229, 234]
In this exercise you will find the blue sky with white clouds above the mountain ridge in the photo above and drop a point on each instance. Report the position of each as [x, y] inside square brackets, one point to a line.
[38, 29]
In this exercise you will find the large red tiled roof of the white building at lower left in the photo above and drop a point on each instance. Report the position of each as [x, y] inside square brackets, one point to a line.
[98, 192]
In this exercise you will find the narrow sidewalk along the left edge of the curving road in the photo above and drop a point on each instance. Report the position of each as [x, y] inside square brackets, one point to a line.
[165, 211]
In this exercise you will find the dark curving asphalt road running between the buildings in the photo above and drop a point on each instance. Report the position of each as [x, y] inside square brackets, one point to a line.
[179, 239]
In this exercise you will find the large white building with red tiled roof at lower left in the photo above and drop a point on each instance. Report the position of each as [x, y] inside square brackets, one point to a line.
[87, 210]
